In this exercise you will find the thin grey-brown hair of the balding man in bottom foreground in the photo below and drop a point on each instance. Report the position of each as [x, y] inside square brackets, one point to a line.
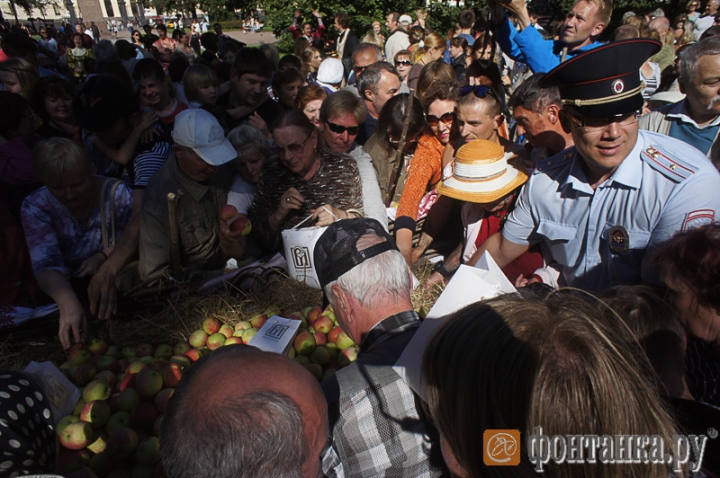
[255, 435]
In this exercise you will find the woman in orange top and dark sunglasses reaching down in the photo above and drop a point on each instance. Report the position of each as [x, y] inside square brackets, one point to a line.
[440, 105]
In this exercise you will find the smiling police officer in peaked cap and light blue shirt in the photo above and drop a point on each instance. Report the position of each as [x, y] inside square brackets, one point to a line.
[600, 208]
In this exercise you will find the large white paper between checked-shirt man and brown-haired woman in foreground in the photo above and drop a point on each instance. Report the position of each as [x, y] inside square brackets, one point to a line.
[467, 286]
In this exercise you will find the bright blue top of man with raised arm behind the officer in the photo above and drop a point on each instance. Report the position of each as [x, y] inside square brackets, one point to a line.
[529, 46]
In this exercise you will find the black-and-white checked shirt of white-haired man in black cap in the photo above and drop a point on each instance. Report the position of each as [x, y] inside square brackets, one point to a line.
[377, 421]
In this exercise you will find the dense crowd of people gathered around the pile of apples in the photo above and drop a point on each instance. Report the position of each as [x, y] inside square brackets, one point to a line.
[583, 160]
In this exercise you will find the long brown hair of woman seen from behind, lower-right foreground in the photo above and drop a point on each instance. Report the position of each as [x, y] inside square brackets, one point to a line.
[555, 362]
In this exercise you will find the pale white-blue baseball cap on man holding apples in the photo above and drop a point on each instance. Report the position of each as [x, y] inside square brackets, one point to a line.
[198, 129]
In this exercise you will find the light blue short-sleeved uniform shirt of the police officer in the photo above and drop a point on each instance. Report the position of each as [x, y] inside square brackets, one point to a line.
[606, 237]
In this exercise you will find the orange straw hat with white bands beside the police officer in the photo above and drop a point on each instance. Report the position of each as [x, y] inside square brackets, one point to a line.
[482, 174]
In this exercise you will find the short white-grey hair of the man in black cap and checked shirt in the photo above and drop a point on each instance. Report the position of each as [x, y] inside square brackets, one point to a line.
[379, 278]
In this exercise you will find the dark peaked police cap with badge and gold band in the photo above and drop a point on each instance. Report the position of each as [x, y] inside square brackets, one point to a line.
[604, 81]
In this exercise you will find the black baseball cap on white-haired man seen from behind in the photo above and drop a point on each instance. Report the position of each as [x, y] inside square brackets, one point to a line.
[336, 251]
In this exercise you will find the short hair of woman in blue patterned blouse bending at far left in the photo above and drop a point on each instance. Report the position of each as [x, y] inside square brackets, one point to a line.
[59, 159]
